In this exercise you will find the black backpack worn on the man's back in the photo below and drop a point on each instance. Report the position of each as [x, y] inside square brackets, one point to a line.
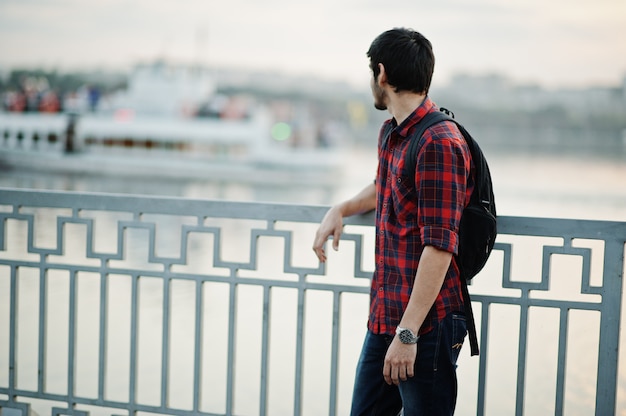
[478, 227]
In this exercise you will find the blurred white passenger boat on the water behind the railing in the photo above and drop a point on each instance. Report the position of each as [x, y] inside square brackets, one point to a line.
[142, 133]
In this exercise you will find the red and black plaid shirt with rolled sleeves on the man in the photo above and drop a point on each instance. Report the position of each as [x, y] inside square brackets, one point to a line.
[407, 220]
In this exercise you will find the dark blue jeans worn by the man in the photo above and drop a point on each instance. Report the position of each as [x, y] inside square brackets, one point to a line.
[433, 389]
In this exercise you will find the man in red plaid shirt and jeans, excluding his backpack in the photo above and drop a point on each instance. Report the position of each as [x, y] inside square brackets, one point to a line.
[416, 325]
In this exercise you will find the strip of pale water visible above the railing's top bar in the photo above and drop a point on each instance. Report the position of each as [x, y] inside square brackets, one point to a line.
[584, 186]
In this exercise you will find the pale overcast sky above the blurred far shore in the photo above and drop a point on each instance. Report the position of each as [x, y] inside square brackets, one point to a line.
[553, 43]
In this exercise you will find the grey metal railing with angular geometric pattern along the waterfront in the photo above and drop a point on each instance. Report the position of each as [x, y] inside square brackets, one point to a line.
[114, 304]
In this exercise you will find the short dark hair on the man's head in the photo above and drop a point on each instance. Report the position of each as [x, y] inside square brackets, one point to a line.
[407, 57]
